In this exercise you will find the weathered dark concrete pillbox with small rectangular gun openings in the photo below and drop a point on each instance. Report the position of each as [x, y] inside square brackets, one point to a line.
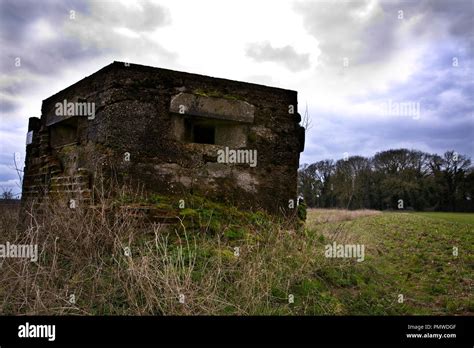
[159, 117]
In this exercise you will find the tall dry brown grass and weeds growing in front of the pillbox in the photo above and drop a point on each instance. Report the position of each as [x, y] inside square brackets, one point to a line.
[105, 261]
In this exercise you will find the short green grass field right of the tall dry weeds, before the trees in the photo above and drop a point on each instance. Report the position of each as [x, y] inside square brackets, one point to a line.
[406, 254]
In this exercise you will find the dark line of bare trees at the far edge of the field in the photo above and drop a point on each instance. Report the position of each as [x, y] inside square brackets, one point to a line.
[392, 179]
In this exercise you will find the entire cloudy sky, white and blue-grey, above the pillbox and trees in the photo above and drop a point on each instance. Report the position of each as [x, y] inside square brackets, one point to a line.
[375, 75]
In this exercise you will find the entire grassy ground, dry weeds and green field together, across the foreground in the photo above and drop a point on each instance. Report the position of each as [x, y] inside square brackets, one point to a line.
[228, 262]
